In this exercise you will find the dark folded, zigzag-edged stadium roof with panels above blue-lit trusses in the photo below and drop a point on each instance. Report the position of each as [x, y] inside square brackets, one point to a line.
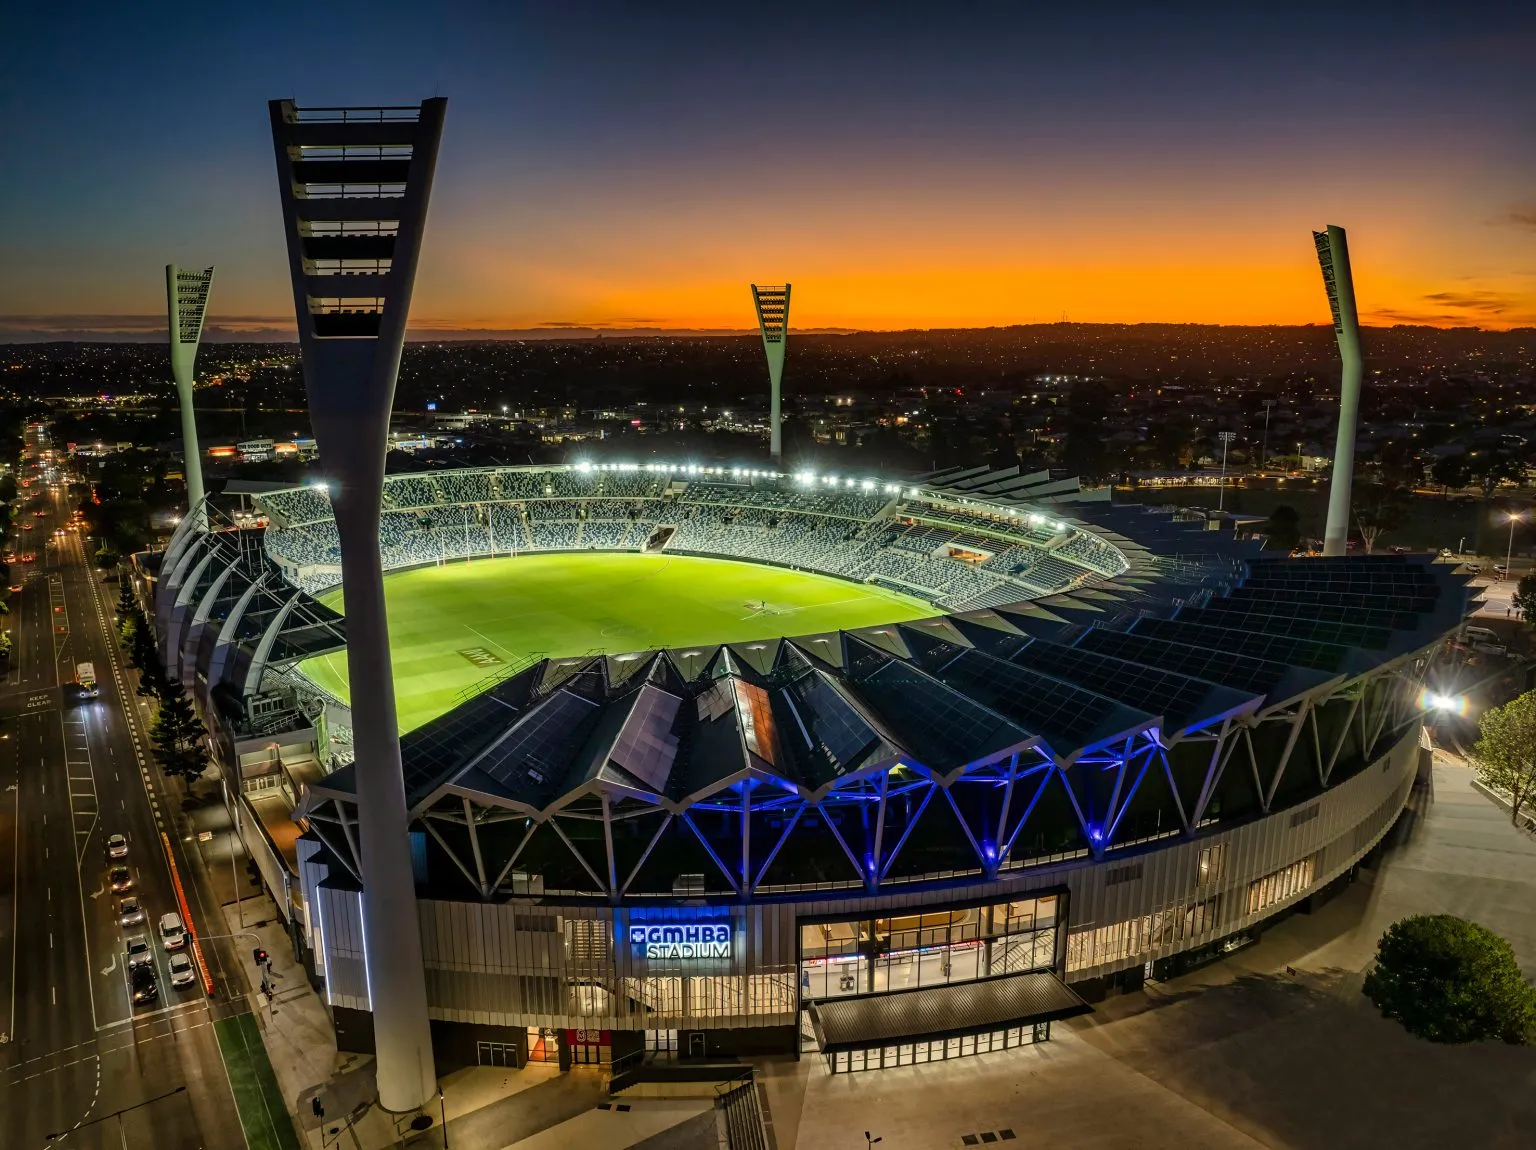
[933, 696]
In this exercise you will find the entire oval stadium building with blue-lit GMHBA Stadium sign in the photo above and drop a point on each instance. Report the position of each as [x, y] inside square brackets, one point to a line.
[1087, 745]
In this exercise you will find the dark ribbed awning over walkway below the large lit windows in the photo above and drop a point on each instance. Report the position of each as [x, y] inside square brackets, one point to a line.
[944, 1011]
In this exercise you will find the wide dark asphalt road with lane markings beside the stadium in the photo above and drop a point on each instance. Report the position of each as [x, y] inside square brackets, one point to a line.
[74, 772]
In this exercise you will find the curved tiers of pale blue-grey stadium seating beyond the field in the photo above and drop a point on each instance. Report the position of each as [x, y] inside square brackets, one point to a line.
[948, 557]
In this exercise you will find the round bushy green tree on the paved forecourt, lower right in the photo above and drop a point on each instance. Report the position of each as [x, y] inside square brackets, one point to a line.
[1452, 982]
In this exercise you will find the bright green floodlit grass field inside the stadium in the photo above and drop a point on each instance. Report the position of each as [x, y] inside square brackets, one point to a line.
[454, 626]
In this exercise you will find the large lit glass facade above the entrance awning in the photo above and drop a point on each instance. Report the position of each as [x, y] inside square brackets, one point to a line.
[876, 956]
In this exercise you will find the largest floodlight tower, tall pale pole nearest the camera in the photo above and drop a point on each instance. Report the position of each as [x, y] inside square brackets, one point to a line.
[356, 185]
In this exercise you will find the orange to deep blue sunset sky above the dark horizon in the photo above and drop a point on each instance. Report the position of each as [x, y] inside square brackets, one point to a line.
[905, 167]
